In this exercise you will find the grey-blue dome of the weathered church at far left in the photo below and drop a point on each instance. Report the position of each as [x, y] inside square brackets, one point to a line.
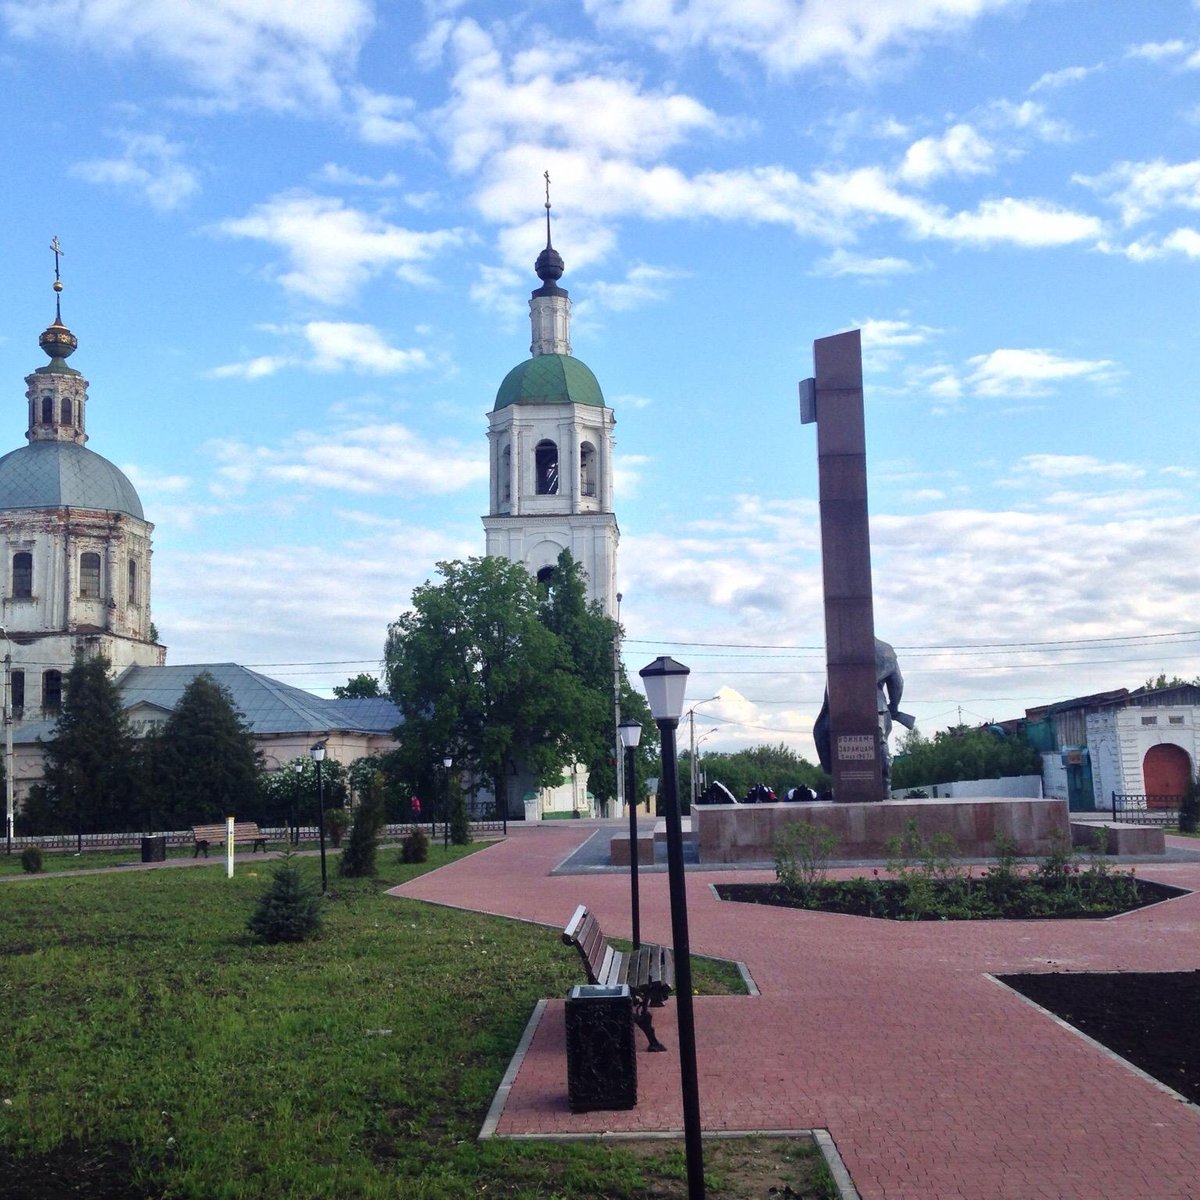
[65, 475]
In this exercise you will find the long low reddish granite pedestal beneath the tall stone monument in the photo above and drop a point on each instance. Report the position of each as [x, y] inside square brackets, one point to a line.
[746, 833]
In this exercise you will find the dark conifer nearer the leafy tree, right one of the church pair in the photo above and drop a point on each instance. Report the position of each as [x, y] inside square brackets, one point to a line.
[211, 763]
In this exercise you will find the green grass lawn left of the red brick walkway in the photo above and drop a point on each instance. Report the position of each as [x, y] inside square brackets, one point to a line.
[154, 1043]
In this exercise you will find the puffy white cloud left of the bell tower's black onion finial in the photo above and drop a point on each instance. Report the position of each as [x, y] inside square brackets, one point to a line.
[334, 250]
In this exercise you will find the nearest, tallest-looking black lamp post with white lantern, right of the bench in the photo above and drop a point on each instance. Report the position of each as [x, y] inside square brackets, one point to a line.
[665, 682]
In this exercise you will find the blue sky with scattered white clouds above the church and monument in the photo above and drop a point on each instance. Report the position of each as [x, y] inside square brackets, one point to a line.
[299, 244]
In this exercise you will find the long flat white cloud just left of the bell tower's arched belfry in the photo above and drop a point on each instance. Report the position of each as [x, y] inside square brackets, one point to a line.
[383, 459]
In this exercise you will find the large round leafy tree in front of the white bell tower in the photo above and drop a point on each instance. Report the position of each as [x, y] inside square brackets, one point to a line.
[478, 676]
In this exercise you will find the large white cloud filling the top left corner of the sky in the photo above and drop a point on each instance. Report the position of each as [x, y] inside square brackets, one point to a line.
[284, 57]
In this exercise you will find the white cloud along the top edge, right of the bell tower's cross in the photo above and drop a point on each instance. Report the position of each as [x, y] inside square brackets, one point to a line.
[793, 35]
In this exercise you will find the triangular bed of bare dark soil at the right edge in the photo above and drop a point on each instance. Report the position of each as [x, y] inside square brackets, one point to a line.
[1149, 1018]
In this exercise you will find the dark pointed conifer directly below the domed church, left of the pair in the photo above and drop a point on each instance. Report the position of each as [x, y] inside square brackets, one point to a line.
[88, 778]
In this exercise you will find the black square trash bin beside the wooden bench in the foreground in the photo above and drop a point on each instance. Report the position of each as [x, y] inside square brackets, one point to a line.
[602, 1066]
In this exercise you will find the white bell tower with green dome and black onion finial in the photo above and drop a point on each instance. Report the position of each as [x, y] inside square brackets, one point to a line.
[551, 447]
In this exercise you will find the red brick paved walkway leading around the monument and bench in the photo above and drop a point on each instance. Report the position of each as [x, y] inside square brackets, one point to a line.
[935, 1082]
